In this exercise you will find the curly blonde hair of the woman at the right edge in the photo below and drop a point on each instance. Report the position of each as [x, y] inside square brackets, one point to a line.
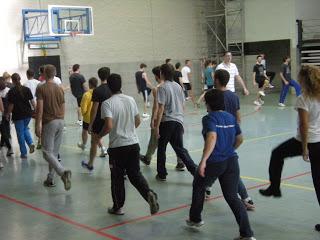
[309, 78]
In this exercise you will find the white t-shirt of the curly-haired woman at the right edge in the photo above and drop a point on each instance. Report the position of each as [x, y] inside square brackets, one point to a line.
[312, 106]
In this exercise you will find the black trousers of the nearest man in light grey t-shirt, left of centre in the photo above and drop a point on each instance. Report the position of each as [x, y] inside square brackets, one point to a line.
[121, 160]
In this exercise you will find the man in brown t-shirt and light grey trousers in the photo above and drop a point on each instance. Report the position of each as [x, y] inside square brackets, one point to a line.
[49, 126]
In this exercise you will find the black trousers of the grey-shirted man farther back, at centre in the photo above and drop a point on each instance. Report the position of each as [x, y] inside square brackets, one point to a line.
[172, 132]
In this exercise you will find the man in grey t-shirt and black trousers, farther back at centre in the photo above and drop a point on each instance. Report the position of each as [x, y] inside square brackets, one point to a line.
[168, 125]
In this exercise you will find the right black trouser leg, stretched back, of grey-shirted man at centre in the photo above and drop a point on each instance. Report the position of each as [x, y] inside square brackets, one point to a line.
[176, 142]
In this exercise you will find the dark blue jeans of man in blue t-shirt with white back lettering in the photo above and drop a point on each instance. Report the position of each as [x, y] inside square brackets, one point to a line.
[228, 173]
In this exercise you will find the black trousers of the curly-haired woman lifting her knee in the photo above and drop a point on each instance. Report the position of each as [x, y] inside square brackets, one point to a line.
[293, 148]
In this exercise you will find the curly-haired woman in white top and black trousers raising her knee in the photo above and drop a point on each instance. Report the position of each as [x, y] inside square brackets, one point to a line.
[307, 141]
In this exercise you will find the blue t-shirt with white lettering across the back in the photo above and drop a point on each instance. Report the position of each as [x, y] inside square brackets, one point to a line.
[227, 128]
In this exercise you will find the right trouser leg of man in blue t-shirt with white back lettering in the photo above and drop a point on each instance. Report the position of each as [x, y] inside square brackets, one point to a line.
[229, 181]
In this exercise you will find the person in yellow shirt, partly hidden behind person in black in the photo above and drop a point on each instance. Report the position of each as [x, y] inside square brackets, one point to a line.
[86, 105]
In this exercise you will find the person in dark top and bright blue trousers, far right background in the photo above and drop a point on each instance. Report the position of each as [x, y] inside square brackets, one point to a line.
[287, 81]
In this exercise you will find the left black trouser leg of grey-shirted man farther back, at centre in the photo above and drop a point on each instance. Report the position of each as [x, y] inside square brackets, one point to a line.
[165, 131]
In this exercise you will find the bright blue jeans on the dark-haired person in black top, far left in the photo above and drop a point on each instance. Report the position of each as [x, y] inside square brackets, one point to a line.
[23, 134]
